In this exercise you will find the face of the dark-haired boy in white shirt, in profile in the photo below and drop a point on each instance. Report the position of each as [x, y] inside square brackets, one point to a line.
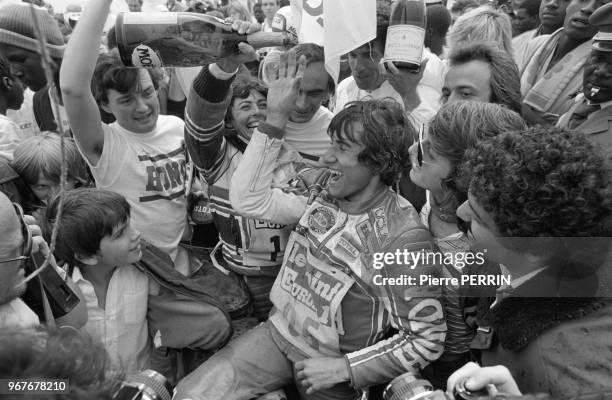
[122, 247]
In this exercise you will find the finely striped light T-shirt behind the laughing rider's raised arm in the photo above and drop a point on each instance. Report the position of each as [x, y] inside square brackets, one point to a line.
[310, 137]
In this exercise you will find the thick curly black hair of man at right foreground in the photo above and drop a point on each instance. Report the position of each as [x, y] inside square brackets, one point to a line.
[542, 182]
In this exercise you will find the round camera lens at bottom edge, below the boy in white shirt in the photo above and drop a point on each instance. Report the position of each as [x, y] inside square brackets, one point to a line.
[146, 385]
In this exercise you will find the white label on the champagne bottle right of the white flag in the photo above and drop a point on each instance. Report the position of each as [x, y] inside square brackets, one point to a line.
[404, 43]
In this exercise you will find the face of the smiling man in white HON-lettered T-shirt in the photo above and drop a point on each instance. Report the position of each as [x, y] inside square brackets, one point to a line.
[136, 111]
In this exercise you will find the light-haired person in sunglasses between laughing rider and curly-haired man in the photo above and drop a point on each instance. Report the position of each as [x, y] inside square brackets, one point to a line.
[436, 160]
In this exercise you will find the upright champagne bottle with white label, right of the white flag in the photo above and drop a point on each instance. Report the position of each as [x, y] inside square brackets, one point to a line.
[406, 34]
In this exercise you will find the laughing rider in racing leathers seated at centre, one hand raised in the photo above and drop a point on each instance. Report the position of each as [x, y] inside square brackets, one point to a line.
[329, 316]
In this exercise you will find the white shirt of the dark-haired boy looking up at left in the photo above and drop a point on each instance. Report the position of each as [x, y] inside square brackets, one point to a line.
[122, 325]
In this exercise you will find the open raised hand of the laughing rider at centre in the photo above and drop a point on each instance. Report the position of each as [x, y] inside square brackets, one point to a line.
[283, 88]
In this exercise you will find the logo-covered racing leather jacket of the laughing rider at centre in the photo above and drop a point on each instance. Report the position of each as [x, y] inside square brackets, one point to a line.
[326, 297]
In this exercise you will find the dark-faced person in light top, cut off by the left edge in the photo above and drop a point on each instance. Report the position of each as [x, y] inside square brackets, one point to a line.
[11, 98]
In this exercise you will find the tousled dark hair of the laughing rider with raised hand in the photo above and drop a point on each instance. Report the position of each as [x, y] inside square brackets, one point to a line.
[387, 135]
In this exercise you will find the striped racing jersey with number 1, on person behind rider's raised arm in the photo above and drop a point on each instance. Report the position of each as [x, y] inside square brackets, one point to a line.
[247, 244]
